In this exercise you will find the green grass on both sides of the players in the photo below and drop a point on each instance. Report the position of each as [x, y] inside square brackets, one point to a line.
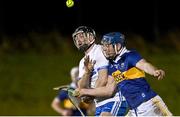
[26, 81]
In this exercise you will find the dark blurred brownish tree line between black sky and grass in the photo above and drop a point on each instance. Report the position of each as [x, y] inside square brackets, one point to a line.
[54, 42]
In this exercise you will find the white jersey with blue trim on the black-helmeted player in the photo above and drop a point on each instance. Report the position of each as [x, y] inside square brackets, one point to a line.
[101, 62]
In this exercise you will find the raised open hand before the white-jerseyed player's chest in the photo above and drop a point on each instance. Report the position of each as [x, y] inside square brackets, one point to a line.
[88, 64]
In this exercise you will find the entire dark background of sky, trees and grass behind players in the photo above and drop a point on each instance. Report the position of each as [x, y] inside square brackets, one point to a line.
[37, 51]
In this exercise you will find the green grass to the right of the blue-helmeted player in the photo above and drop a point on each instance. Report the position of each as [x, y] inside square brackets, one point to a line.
[169, 87]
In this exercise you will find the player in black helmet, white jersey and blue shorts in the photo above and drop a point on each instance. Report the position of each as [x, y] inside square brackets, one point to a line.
[84, 40]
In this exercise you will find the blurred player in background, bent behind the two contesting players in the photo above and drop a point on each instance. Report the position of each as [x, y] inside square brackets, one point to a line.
[61, 103]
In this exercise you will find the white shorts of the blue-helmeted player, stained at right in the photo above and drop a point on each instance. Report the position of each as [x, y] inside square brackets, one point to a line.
[153, 107]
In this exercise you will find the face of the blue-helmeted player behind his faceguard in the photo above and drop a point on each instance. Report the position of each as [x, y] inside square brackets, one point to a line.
[109, 51]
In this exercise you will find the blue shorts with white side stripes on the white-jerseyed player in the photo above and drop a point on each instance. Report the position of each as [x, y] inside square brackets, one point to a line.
[115, 108]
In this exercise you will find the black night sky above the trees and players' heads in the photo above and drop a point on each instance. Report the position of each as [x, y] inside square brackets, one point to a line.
[142, 17]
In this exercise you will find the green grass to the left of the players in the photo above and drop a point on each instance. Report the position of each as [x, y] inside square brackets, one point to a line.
[26, 82]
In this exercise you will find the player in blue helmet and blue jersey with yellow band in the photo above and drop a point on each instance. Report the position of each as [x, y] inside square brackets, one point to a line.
[127, 70]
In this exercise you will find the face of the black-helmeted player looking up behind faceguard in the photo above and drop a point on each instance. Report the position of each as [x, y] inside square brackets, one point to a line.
[81, 41]
